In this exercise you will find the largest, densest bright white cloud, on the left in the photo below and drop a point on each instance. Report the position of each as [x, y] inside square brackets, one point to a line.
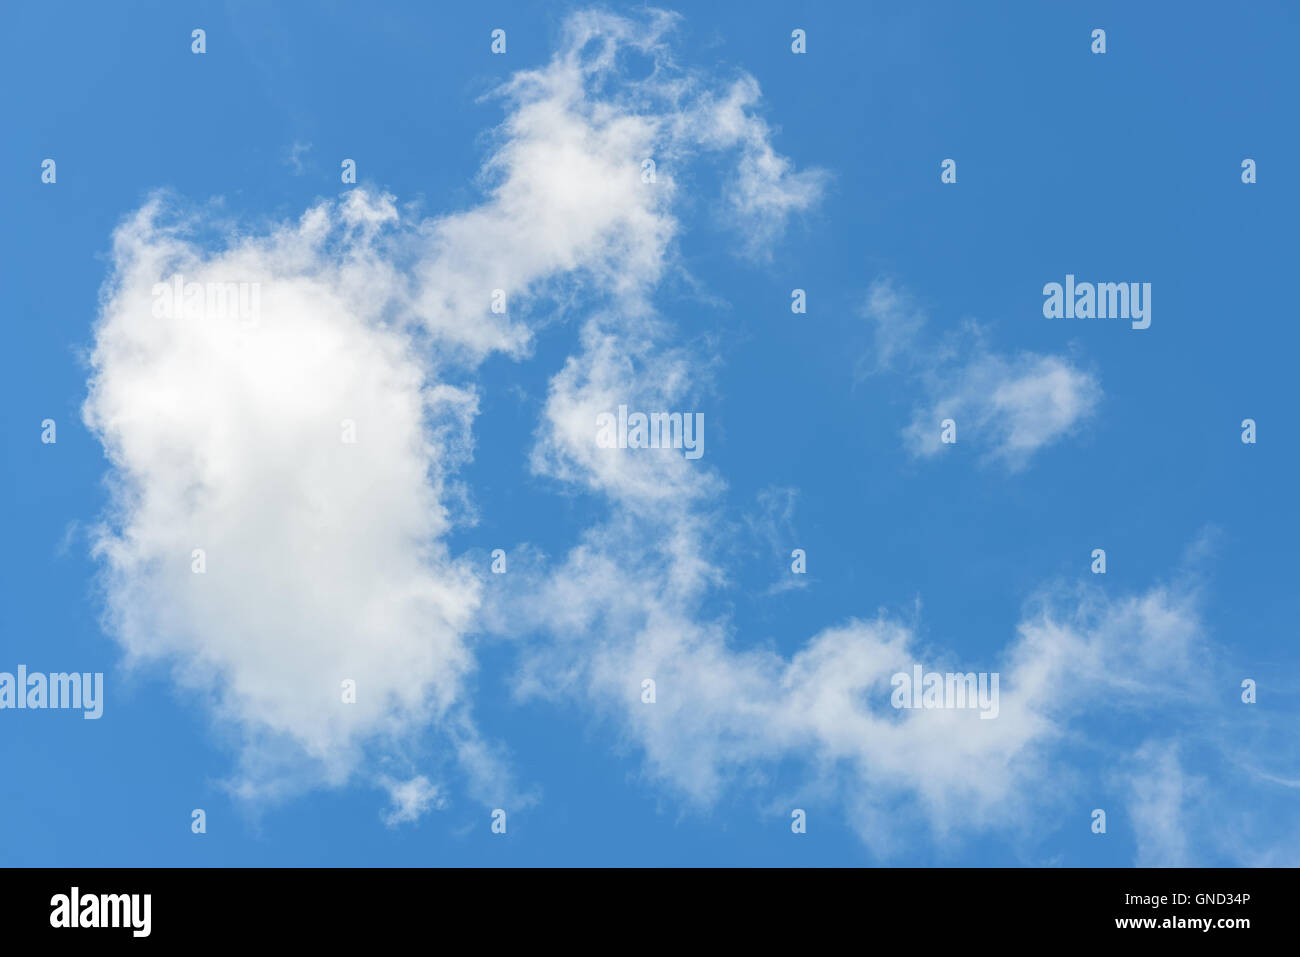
[323, 557]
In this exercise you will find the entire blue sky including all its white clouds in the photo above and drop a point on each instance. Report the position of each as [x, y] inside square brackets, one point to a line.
[1121, 692]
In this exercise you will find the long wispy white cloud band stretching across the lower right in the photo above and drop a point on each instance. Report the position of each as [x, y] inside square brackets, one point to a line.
[725, 713]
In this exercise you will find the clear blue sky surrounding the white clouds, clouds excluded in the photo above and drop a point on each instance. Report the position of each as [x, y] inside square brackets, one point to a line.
[1117, 167]
